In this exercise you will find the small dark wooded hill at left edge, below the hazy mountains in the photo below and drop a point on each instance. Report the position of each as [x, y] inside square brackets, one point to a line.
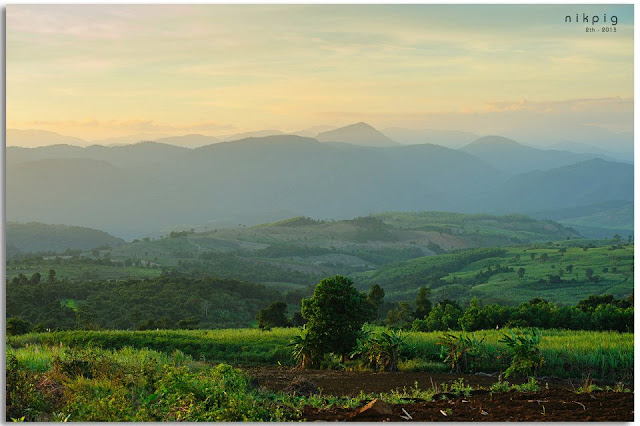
[39, 237]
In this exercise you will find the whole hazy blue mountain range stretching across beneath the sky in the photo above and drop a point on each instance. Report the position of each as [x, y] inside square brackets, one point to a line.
[141, 188]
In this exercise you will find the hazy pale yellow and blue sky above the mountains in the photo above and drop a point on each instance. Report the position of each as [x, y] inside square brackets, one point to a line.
[98, 71]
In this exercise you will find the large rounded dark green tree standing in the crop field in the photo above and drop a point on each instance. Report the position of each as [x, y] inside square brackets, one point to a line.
[336, 313]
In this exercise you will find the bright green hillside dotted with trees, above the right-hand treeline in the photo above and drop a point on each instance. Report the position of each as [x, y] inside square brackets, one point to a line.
[557, 272]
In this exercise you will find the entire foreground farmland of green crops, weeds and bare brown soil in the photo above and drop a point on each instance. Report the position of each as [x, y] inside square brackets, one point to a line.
[177, 375]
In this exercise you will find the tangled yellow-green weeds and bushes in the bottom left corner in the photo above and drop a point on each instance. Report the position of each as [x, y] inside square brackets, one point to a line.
[98, 385]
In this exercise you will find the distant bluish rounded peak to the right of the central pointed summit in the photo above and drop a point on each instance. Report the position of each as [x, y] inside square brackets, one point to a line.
[513, 158]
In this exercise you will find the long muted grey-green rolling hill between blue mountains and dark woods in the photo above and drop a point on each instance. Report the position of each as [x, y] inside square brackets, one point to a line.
[298, 252]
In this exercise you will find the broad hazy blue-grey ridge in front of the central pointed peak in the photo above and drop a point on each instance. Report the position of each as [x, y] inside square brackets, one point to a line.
[260, 176]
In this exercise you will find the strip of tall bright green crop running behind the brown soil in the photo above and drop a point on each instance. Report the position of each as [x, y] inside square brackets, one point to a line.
[607, 355]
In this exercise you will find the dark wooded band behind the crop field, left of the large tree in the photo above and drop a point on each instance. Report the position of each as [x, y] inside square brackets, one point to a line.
[163, 302]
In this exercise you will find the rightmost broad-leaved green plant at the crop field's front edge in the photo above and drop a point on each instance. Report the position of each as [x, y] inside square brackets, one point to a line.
[526, 357]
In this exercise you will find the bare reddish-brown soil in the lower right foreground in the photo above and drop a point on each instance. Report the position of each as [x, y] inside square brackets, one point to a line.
[557, 403]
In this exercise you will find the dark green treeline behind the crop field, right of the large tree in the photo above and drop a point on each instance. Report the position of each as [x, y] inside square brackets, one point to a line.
[594, 313]
